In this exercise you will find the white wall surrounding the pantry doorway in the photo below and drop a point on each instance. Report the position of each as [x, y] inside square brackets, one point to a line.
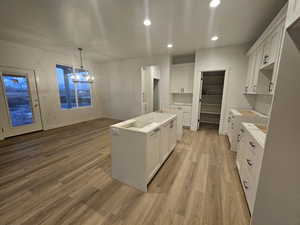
[235, 60]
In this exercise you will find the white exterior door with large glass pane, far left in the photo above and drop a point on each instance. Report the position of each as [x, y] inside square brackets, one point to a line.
[19, 103]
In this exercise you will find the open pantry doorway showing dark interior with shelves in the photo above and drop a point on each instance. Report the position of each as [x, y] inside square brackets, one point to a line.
[211, 96]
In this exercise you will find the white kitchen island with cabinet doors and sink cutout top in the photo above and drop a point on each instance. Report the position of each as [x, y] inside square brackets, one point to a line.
[140, 146]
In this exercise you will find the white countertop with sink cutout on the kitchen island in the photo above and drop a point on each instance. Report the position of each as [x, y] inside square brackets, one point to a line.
[145, 123]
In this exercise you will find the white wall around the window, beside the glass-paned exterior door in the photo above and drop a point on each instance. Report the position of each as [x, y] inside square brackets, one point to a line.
[43, 62]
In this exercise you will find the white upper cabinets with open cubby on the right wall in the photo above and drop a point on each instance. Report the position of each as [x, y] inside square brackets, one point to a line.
[264, 58]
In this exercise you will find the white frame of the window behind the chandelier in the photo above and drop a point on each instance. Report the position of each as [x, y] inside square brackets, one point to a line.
[75, 85]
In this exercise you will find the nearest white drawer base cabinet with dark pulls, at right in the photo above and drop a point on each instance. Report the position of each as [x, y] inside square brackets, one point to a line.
[249, 159]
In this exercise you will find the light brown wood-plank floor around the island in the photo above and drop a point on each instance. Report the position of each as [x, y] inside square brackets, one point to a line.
[62, 176]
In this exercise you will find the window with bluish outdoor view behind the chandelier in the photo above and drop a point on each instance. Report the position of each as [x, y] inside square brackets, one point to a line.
[74, 88]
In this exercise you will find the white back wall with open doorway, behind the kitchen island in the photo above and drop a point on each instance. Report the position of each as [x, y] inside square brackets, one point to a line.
[121, 85]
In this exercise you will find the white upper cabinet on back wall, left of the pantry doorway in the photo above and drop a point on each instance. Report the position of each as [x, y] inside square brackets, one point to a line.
[182, 77]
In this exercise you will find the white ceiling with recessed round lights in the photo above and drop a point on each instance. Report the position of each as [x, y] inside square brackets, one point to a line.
[112, 29]
